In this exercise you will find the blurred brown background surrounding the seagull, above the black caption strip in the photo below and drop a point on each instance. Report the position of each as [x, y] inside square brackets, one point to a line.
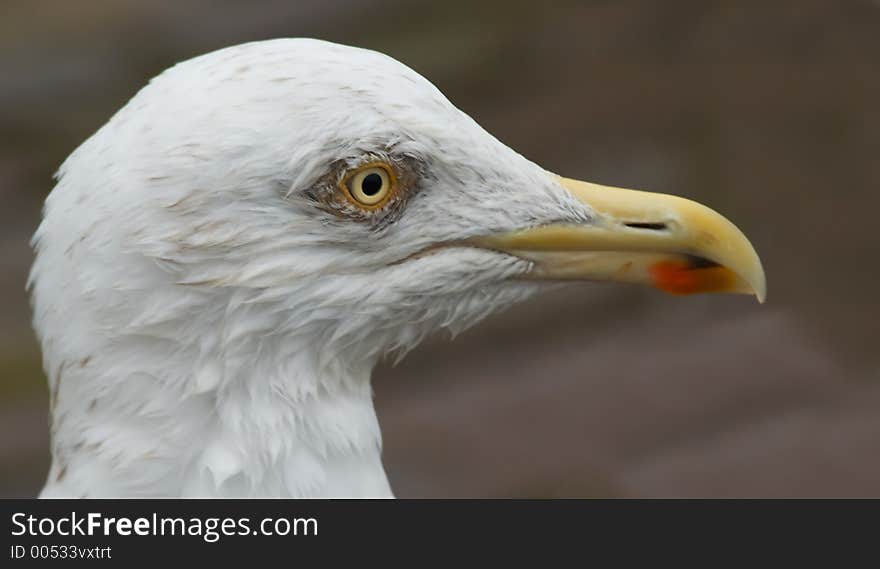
[767, 111]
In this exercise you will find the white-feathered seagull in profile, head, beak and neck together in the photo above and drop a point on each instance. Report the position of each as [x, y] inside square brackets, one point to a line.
[221, 265]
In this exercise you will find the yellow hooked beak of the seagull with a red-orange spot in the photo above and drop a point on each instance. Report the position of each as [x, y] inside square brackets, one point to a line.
[676, 245]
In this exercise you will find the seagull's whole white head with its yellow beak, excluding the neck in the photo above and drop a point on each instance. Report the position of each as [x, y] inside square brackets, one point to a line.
[302, 188]
